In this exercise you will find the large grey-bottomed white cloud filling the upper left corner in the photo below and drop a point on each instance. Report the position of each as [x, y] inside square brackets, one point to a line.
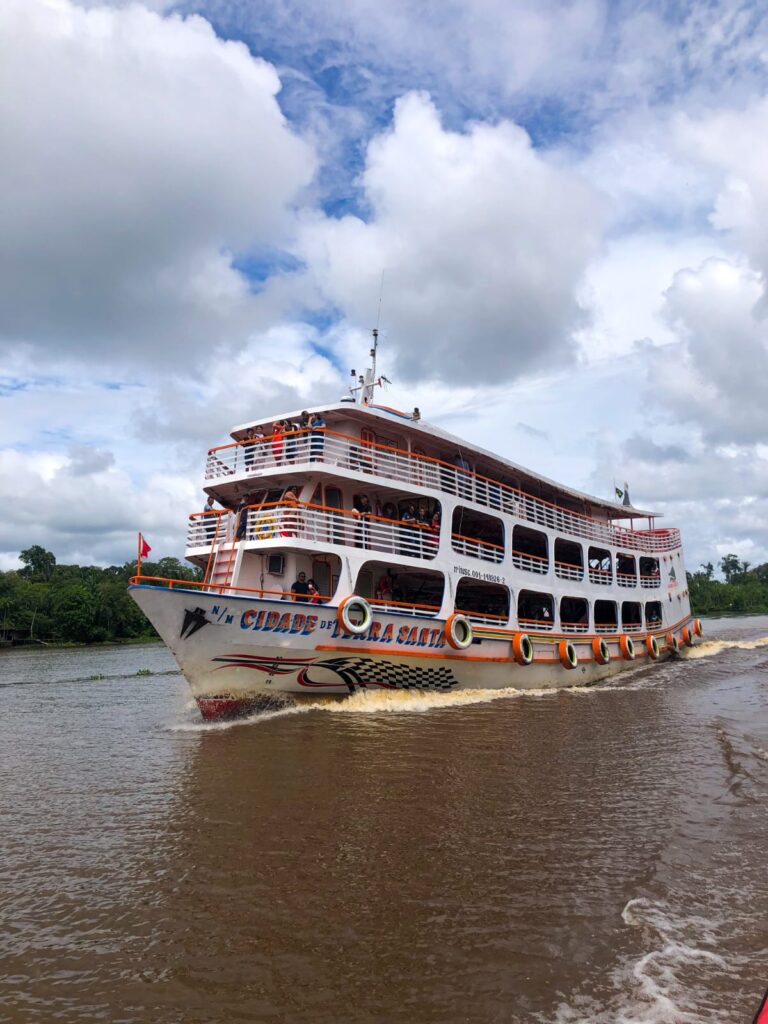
[139, 154]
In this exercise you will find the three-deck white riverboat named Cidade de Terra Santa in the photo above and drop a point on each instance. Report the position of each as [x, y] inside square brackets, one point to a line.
[359, 547]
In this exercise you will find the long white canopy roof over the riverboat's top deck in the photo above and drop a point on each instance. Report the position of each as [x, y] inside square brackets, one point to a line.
[419, 429]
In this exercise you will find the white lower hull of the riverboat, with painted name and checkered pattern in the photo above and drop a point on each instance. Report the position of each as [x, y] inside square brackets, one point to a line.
[241, 654]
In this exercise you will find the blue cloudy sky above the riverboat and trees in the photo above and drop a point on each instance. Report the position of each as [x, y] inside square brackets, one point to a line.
[557, 210]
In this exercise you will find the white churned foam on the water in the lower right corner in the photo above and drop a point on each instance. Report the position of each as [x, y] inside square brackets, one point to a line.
[667, 985]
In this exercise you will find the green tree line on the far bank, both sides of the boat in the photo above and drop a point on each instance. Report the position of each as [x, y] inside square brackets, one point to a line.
[45, 602]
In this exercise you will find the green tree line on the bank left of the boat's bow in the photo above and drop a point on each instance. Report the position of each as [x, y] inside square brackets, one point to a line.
[45, 602]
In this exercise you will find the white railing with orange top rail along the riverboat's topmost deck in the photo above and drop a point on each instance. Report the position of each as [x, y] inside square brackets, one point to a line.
[329, 448]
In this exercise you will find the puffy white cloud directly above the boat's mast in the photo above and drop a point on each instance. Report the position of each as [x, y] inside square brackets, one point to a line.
[482, 242]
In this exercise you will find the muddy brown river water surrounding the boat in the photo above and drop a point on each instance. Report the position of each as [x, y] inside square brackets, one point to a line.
[593, 857]
